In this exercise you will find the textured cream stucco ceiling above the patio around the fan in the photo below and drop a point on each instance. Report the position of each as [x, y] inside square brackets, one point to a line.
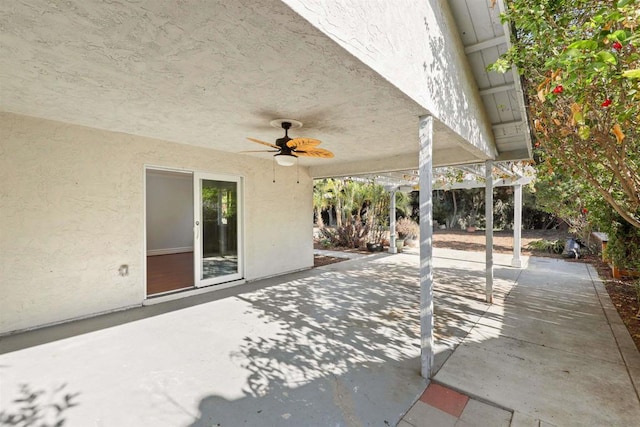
[206, 73]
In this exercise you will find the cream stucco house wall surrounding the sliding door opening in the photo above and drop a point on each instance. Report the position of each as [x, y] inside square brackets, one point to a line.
[71, 203]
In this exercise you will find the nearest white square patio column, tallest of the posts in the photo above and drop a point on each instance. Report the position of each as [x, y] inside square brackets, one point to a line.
[426, 245]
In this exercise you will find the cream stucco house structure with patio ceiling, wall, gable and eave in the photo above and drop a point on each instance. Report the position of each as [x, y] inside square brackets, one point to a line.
[97, 98]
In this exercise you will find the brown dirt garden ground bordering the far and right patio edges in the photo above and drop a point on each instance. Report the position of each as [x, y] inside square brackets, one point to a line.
[621, 292]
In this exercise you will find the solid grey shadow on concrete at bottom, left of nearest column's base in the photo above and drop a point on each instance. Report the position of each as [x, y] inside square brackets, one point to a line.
[347, 399]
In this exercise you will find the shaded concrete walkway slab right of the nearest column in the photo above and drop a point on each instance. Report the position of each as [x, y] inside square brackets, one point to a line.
[546, 350]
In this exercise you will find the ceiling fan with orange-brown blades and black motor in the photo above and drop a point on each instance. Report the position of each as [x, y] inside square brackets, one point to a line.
[288, 149]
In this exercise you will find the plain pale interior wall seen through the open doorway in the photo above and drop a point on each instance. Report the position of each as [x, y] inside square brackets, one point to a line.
[169, 212]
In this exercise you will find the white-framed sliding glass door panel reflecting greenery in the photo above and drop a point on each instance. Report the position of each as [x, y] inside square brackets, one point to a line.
[217, 229]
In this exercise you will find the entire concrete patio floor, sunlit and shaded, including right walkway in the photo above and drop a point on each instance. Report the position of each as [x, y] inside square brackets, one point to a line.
[339, 346]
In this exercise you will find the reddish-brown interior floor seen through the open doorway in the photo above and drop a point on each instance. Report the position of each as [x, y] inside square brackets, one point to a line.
[171, 272]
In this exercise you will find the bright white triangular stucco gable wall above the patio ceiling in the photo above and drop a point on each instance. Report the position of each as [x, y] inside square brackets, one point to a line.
[413, 44]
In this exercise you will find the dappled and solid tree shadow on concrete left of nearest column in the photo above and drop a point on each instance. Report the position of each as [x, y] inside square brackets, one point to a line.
[347, 352]
